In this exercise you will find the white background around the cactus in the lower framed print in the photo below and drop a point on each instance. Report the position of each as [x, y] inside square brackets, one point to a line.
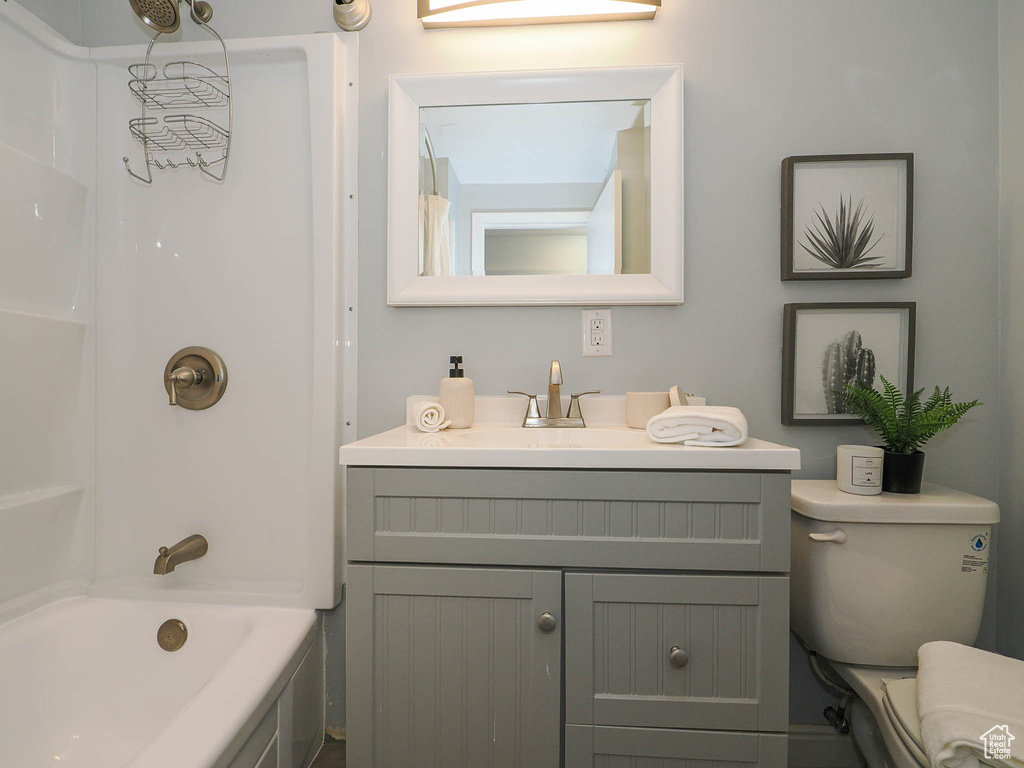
[884, 331]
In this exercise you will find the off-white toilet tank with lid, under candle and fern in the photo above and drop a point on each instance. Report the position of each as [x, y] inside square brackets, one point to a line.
[876, 577]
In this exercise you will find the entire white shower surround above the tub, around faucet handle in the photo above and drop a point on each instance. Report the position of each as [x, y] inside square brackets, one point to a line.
[251, 268]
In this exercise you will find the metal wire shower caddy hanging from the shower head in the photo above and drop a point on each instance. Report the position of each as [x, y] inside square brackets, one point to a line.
[183, 86]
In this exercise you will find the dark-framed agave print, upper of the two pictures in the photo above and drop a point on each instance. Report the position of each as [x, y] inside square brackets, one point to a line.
[847, 217]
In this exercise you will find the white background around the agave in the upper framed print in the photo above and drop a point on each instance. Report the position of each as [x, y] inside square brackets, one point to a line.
[881, 184]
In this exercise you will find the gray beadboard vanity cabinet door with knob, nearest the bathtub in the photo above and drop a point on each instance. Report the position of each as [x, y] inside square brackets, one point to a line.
[450, 668]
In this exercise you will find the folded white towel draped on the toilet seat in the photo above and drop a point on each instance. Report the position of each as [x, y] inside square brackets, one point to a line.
[964, 695]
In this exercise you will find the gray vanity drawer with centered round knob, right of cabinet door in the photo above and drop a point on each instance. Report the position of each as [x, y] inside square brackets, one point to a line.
[732, 668]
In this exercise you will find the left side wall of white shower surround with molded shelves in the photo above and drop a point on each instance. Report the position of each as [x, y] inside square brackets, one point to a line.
[48, 112]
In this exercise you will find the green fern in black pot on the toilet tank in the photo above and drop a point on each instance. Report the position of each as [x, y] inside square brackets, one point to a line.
[905, 424]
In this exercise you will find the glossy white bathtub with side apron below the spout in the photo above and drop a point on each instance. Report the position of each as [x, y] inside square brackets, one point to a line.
[83, 685]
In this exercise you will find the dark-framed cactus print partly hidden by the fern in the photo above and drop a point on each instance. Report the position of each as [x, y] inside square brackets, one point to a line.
[827, 347]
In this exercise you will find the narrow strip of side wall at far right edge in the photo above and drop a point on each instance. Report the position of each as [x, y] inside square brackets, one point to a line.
[1011, 531]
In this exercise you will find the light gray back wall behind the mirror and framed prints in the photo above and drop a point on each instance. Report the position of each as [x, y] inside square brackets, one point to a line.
[763, 81]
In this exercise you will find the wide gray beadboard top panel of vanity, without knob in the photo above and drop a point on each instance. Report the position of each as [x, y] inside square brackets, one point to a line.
[668, 520]
